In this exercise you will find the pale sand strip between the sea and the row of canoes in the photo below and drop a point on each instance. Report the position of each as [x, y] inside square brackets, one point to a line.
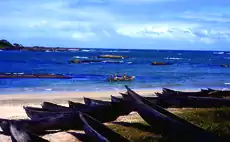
[11, 106]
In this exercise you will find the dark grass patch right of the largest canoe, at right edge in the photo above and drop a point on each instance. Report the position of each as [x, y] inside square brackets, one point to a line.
[216, 120]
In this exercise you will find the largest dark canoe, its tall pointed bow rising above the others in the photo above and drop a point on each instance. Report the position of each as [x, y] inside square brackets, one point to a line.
[169, 123]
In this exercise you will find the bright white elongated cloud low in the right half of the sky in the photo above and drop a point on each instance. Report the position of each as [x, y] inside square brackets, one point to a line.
[174, 31]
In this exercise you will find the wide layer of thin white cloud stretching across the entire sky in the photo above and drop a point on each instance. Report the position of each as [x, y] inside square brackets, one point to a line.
[58, 18]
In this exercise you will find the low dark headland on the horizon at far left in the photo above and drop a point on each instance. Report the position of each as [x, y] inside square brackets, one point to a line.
[6, 45]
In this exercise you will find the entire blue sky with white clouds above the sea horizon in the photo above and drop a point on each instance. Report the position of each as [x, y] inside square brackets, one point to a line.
[125, 24]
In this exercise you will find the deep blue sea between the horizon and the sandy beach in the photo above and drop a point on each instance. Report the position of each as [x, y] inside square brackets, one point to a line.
[190, 70]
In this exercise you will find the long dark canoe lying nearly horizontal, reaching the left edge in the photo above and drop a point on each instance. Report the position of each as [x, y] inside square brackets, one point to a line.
[64, 121]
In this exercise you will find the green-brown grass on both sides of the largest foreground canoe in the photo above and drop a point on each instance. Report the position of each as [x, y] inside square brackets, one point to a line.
[215, 120]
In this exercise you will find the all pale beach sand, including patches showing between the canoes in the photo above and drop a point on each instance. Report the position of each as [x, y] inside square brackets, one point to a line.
[11, 107]
